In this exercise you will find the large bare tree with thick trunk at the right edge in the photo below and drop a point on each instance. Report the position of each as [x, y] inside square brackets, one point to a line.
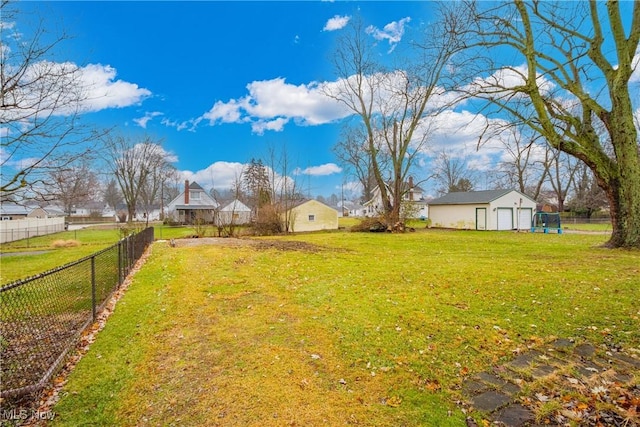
[576, 75]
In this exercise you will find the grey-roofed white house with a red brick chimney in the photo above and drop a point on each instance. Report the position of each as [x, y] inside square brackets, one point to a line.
[192, 204]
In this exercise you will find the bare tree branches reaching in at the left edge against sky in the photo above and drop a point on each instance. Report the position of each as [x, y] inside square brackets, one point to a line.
[40, 103]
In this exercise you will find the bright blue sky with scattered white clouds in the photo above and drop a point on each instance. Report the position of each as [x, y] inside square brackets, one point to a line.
[219, 82]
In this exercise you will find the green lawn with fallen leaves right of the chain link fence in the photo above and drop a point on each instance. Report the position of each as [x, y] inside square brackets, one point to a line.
[372, 329]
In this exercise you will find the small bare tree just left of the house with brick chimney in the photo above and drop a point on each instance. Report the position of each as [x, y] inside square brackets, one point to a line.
[134, 164]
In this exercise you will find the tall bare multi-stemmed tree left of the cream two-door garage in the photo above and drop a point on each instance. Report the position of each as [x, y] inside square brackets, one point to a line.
[393, 104]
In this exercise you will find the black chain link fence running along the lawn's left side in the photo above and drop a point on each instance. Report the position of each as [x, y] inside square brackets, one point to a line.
[42, 317]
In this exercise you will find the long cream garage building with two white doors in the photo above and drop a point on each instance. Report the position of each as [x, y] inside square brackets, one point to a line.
[483, 210]
